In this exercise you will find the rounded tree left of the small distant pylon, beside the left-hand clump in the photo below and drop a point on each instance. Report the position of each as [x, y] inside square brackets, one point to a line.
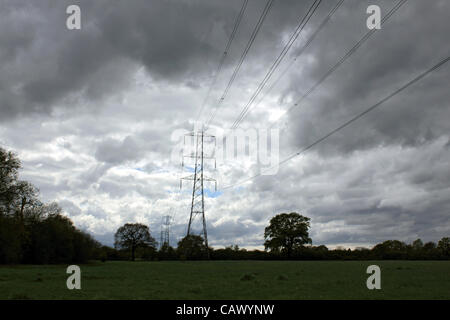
[133, 235]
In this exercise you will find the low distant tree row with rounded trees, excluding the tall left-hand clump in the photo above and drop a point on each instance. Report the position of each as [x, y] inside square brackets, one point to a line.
[286, 238]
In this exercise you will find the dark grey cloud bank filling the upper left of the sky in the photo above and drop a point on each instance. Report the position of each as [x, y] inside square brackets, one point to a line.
[176, 42]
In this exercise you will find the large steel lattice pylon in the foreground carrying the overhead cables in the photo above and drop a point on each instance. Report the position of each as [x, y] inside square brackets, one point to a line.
[198, 193]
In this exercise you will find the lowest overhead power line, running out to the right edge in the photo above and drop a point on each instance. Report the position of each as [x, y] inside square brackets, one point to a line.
[347, 123]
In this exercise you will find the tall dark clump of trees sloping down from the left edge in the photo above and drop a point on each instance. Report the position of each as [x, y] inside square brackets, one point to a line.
[32, 231]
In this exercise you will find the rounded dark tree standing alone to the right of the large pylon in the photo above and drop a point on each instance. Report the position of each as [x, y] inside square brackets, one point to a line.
[286, 232]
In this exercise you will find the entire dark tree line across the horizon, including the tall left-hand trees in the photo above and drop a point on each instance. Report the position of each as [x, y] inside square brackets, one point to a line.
[38, 233]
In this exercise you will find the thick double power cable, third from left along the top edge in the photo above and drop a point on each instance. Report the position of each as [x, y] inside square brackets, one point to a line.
[278, 60]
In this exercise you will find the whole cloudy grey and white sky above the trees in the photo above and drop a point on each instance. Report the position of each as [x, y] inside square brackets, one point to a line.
[97, 115]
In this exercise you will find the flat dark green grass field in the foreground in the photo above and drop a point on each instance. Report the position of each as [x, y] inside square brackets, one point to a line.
[230, 280]
